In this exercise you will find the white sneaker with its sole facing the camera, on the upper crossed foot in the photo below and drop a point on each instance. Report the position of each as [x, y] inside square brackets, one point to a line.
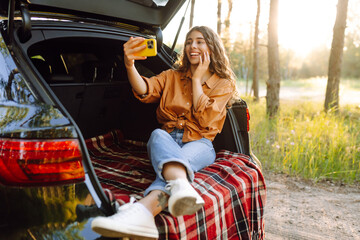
[184, 200]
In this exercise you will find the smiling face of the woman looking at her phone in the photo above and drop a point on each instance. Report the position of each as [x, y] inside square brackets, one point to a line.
[195, 46]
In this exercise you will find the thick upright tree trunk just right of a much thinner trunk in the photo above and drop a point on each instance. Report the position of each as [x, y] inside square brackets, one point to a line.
[273, 84]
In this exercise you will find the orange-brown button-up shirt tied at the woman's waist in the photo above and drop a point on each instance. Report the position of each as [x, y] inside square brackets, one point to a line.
[173, 90]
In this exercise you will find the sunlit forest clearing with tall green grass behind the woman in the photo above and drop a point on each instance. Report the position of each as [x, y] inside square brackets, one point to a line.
[301, 139]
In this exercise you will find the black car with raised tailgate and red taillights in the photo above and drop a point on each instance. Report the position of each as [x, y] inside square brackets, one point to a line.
[63, 90]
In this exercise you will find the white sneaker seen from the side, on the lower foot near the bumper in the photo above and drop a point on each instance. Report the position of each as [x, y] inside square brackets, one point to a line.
[130, 221]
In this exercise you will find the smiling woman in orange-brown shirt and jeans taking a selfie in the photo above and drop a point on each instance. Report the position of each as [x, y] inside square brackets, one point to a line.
[192, 110]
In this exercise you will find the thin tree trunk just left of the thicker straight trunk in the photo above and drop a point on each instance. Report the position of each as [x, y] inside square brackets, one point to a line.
[255, 84]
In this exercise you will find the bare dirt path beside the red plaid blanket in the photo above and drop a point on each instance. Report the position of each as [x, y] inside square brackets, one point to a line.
[298, 209]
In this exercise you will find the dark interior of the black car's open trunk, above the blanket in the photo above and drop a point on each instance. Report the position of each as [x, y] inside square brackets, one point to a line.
[88, 76]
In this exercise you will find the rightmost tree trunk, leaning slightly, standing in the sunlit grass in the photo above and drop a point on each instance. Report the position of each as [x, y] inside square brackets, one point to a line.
[334, 71]
